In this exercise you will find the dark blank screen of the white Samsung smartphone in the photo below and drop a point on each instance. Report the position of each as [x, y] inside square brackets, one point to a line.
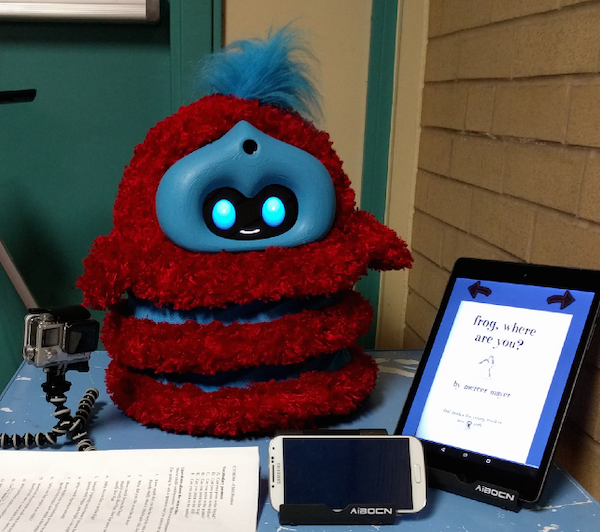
[339, 471]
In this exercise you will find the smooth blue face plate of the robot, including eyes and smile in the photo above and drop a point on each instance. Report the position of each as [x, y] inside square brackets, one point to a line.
[245, 191]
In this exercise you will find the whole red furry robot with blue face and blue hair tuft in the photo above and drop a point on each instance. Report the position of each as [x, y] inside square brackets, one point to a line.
[228, 275]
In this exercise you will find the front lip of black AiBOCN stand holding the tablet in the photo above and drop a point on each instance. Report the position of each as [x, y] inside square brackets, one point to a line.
[477, 490]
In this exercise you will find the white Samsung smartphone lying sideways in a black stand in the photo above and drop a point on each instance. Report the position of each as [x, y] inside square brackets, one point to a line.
[339, 471]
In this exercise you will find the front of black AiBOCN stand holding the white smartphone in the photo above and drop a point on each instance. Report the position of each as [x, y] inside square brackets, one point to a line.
[320, 514]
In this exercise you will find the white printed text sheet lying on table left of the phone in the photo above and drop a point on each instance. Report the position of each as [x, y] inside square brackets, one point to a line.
[133, 490]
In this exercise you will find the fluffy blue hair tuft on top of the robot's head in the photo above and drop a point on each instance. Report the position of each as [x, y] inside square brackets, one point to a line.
[265, 70]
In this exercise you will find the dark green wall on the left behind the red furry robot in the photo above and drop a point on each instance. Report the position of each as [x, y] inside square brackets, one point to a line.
[100, 87]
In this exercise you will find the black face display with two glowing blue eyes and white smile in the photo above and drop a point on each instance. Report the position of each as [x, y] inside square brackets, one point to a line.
[230, 214]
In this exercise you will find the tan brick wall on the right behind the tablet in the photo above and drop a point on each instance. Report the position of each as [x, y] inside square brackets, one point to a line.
[509, 162]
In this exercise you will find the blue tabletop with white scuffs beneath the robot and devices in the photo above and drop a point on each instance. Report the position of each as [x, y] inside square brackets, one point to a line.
[564, 506]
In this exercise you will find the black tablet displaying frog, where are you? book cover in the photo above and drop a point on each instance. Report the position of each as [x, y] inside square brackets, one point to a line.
[492, 388]
